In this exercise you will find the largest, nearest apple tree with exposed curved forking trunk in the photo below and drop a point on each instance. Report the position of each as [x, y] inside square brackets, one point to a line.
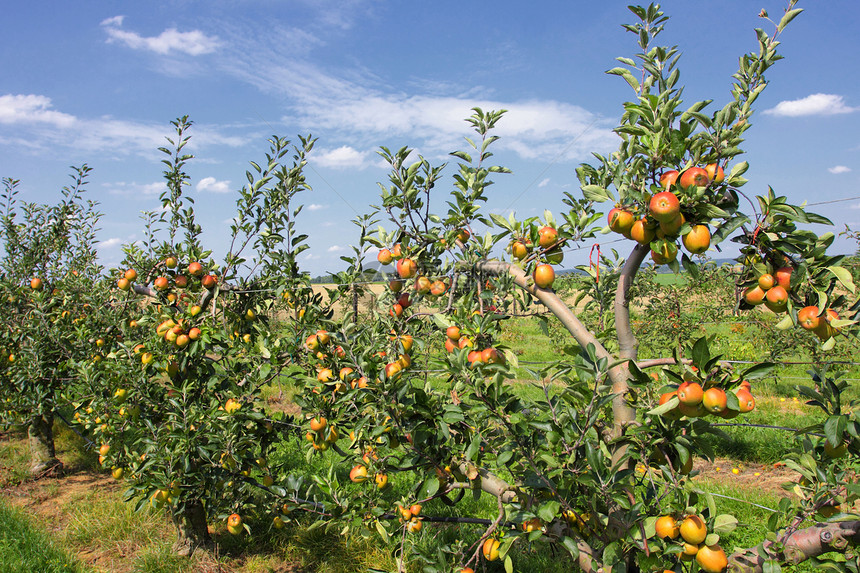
[598, 460]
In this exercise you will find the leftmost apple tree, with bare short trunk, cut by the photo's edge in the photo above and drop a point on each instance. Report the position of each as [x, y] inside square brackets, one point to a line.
[51, 302]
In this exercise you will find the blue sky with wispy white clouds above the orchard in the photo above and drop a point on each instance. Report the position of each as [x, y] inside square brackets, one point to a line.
[99, 82]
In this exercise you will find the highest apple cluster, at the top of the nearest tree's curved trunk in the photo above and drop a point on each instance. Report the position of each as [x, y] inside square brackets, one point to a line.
[664, 219]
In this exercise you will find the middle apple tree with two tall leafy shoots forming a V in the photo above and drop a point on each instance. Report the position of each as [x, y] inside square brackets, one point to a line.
[175, 406]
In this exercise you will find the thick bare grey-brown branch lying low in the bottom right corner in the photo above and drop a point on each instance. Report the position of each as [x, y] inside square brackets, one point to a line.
[798, 547]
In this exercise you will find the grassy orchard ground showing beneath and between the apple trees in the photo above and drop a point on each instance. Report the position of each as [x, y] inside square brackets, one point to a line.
[80, 523]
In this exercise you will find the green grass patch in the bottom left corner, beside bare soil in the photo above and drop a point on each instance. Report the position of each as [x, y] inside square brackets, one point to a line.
[27, 547]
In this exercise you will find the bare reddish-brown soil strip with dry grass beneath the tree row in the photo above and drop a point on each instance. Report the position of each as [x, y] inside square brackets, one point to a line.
[83, 512]
